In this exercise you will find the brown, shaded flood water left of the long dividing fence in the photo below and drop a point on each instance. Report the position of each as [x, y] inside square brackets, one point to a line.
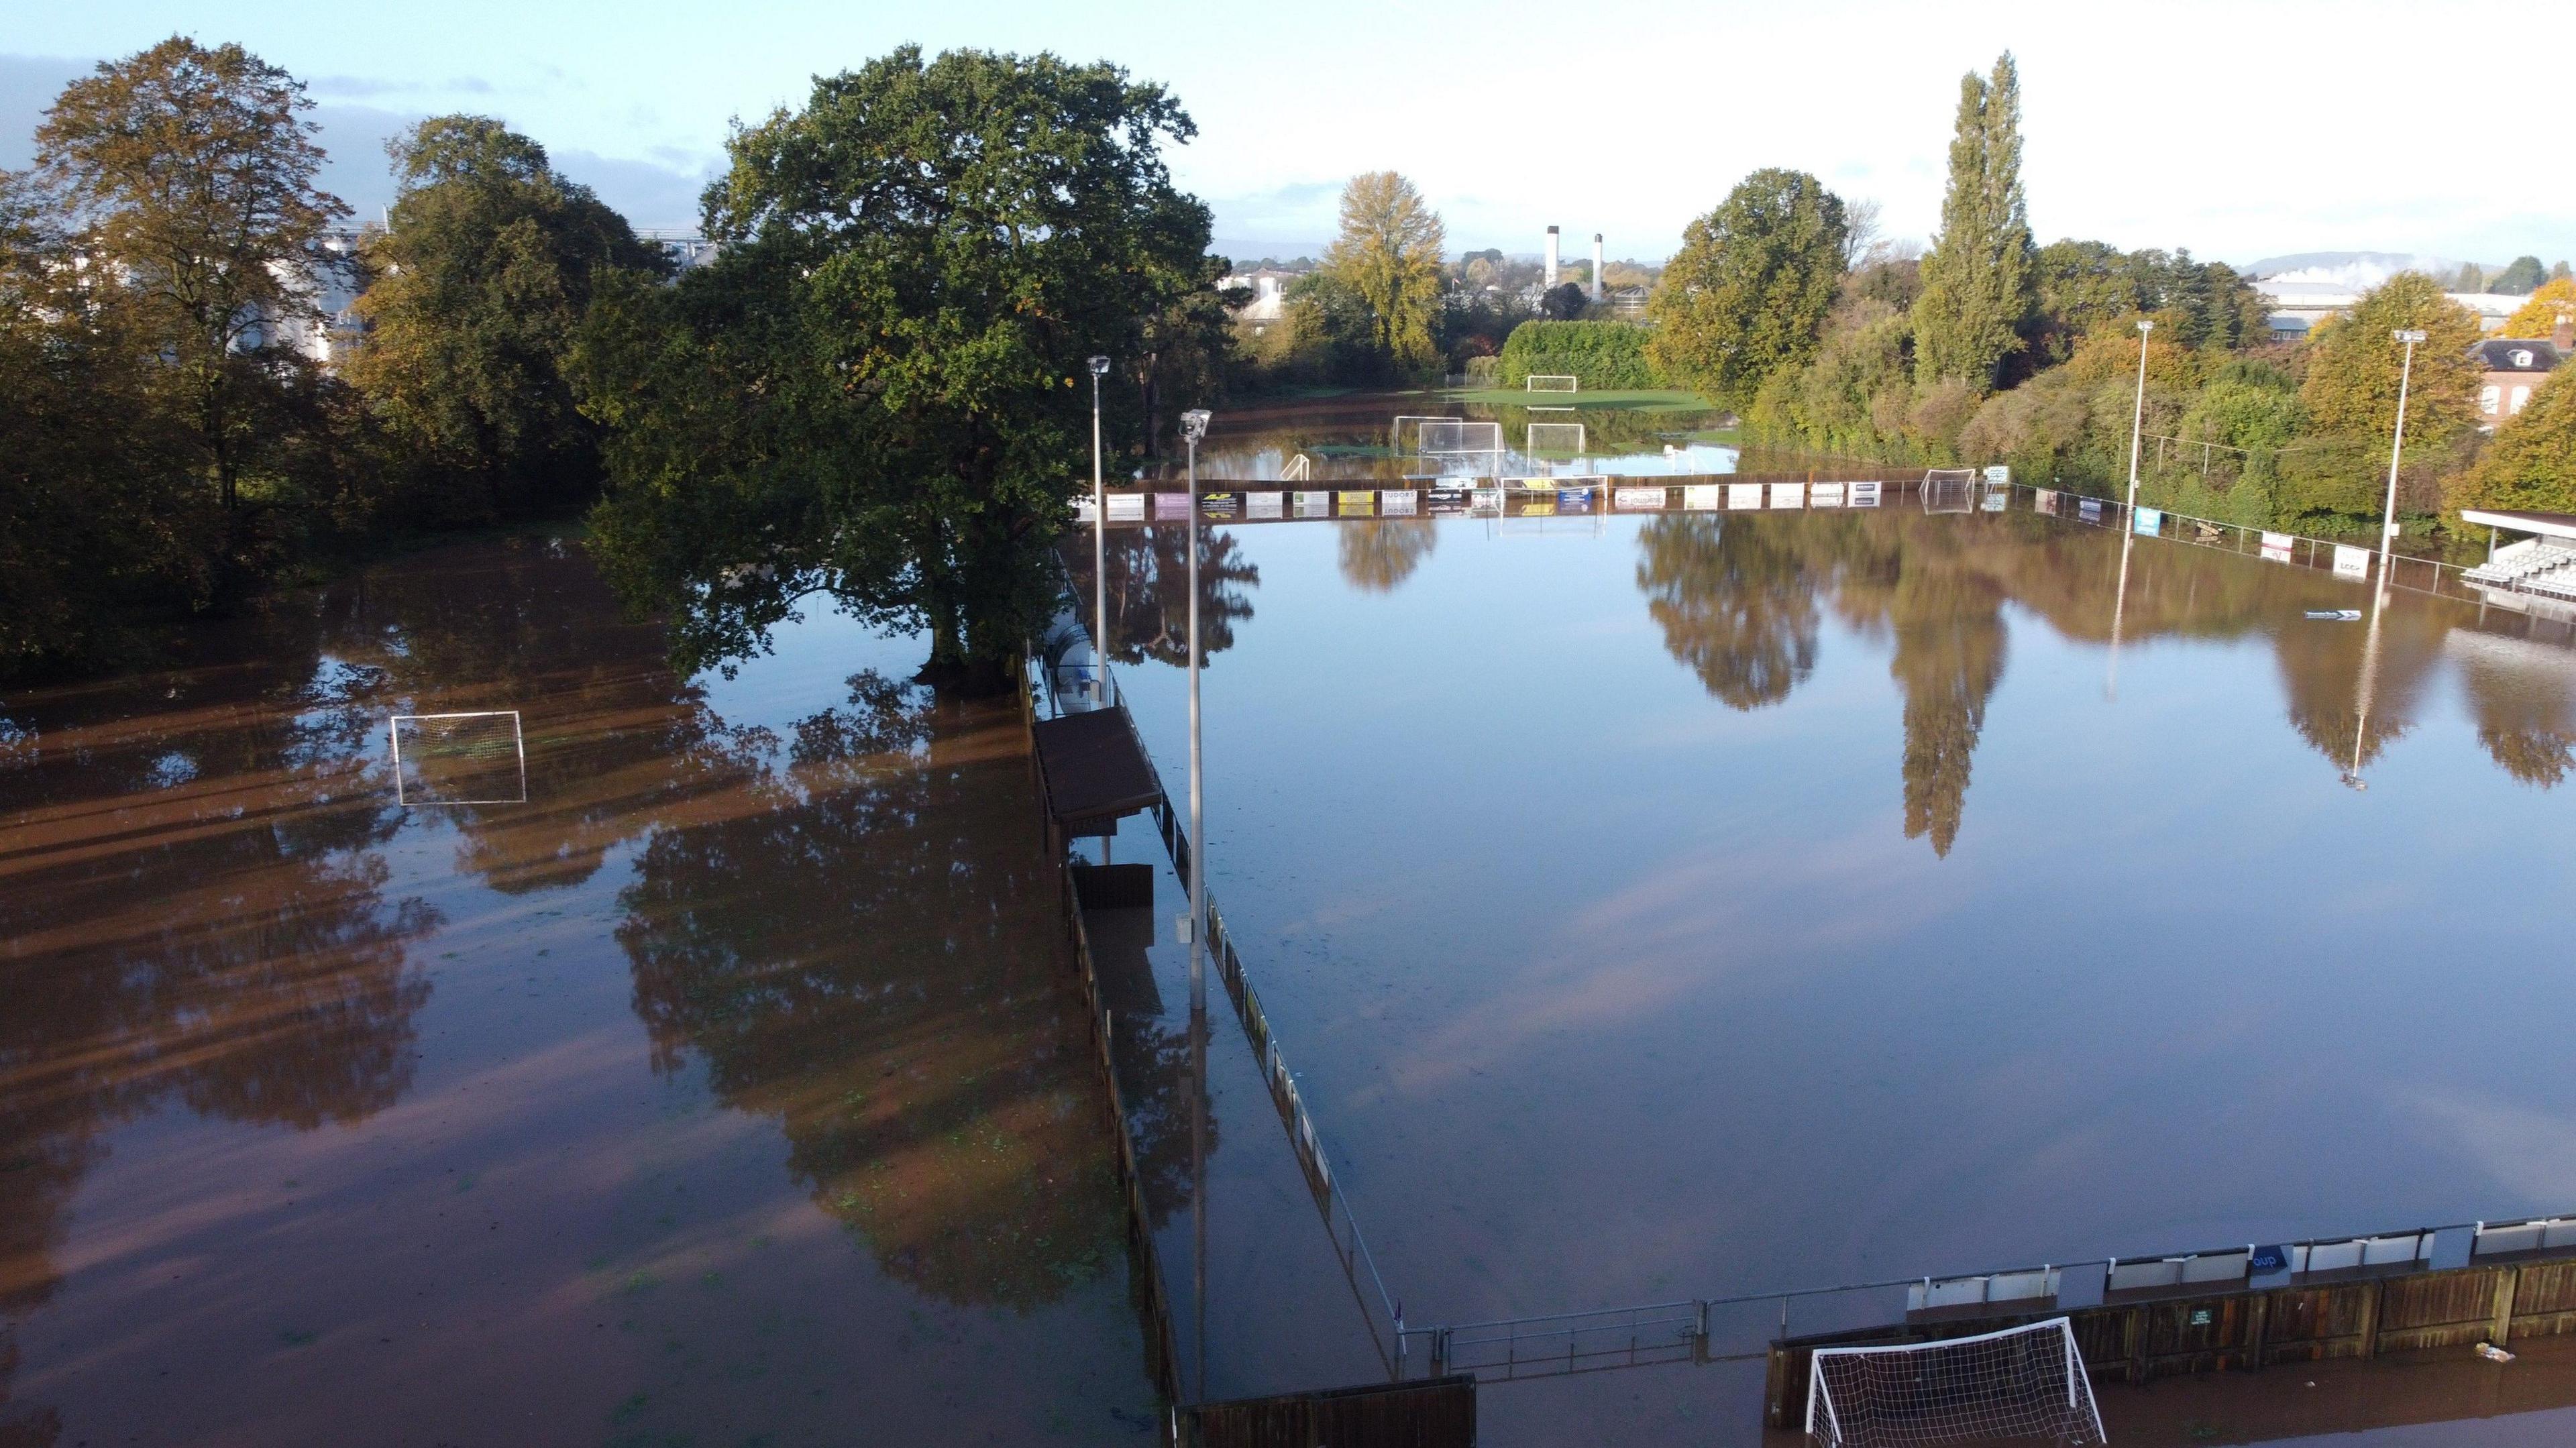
[728, 1091]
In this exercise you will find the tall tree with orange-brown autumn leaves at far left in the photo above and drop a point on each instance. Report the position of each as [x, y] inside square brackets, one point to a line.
[189, 179]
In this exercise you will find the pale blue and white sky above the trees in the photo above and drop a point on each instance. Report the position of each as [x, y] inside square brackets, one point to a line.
[2235, 130]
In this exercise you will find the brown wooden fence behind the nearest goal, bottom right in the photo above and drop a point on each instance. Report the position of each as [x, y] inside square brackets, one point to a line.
[2255, 1328]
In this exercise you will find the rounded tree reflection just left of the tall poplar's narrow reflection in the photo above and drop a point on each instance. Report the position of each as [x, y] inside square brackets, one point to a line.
[1735, 604]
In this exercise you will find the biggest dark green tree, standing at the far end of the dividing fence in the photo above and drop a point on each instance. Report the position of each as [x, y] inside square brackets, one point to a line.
[877, 390]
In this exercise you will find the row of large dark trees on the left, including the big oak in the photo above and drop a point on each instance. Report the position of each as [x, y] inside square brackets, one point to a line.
[877, 388]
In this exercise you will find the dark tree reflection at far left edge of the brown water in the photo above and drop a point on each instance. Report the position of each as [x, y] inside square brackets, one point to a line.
[192, 908]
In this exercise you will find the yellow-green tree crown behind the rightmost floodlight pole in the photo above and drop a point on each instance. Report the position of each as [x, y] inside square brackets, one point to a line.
[2353, 365]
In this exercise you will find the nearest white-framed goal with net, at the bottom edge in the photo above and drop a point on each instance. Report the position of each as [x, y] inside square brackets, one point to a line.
[2021, 1382]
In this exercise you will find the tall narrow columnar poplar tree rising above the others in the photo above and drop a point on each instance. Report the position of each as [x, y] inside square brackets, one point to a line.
[1980, 277]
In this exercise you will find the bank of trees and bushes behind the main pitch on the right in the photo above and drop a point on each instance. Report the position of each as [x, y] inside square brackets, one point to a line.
[1993, 349]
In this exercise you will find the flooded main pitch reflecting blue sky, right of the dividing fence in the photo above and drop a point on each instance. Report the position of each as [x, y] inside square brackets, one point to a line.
[1719, 903]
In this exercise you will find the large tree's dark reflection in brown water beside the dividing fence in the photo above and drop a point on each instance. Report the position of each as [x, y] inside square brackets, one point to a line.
[872, 962]
